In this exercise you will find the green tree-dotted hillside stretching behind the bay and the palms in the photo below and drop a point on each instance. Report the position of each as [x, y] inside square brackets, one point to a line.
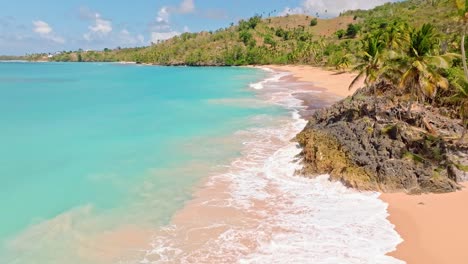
[289, 39]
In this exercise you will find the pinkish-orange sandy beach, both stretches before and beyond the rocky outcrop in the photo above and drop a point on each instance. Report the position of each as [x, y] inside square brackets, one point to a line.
[434, 226]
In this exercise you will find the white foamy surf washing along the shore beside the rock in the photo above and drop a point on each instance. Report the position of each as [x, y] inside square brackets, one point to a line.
[285, 218]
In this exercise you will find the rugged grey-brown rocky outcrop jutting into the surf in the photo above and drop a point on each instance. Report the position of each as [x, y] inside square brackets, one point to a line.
[373, 144]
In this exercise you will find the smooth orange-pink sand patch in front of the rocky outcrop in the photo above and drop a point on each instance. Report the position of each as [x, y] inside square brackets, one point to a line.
[434, 227]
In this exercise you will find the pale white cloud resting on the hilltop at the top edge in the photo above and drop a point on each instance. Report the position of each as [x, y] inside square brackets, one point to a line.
[333, 7]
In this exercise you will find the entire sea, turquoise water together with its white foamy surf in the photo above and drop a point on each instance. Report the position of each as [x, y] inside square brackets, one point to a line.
[109, 163]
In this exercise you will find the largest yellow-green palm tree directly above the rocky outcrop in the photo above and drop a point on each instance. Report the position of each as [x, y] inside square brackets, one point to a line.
[423, 77]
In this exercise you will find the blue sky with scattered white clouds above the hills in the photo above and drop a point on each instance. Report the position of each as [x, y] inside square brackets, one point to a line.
[29, 26]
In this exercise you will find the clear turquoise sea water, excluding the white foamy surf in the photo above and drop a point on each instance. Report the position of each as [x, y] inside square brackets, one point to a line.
[91, 147]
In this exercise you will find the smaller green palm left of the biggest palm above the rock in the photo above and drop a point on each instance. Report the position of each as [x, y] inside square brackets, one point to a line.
[371, 64]
